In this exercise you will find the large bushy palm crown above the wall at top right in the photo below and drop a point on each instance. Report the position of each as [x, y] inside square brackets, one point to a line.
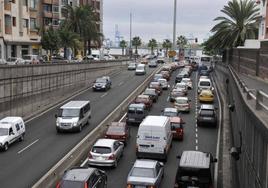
[239, 24]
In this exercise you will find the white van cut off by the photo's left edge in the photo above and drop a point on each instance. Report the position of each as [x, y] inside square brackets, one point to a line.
[11, 130]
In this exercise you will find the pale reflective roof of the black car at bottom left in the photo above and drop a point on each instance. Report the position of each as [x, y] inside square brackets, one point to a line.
[78, 174]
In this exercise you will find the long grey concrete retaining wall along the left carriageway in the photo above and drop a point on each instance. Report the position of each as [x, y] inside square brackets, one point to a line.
[26, 90]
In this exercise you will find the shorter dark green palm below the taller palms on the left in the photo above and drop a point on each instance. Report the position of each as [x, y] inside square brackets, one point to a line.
[68, 39]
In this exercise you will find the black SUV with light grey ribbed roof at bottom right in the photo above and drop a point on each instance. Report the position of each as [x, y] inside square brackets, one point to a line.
[195, 170]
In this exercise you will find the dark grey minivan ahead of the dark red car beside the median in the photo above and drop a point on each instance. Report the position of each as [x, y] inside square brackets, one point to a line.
[136, 113]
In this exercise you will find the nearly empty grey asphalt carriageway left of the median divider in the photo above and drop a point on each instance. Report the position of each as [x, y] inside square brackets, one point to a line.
[27, 161]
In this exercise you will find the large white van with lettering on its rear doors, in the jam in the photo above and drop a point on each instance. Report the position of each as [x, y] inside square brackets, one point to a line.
[154, 138]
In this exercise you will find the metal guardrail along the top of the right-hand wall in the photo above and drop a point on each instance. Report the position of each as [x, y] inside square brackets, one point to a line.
[259, 96]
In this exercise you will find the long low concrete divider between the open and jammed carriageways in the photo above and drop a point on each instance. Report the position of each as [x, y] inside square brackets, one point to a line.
[79, 152]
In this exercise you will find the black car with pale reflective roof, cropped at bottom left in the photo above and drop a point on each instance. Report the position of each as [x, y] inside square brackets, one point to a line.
[78, 177]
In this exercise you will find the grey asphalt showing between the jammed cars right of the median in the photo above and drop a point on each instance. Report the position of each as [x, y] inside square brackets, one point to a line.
[195, 138]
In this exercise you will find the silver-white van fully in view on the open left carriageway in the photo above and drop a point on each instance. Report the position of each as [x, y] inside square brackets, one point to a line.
[73, 116]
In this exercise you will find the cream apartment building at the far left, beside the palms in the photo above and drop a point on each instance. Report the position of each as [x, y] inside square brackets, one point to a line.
[19, 34]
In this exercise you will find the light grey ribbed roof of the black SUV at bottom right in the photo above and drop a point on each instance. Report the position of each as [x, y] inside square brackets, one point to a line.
[195, 159]
